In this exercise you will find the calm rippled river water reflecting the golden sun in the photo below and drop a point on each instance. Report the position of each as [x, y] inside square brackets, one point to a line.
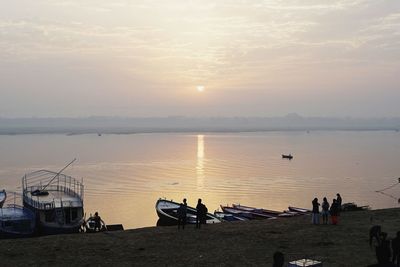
[124, 175]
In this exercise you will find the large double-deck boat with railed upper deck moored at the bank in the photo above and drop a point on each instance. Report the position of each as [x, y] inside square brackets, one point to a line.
[56, 199]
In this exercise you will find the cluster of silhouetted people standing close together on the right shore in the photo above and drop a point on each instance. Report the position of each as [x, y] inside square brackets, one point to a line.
[327, 209]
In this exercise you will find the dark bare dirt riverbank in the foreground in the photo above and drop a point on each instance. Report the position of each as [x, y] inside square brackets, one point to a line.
[227, 244]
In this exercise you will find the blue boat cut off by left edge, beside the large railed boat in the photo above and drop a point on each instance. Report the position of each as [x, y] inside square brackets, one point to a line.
[15, 220]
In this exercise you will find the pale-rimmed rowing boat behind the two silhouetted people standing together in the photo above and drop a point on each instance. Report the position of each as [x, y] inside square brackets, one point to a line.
[167, 211]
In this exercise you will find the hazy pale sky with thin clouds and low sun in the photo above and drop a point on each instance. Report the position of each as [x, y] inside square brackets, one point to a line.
[78, 58]
